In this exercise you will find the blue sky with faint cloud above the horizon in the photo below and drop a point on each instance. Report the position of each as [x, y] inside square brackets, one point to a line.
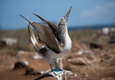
[83, 13]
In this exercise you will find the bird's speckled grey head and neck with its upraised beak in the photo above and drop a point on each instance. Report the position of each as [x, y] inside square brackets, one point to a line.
[62, 26]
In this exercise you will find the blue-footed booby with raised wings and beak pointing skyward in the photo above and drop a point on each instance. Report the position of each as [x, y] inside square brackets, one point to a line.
[53, 41]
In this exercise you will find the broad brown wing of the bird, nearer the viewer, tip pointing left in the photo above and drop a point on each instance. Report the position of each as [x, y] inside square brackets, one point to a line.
[45, 35]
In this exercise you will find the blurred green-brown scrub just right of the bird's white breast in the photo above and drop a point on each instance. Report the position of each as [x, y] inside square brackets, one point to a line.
[84, 36]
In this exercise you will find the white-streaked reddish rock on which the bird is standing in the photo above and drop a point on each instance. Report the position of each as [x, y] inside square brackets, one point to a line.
[65, 75]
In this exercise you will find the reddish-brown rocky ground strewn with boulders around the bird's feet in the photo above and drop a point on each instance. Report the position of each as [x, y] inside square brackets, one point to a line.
[97, 63]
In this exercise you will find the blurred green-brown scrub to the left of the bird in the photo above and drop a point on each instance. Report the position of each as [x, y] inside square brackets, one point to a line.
[22, 37]
